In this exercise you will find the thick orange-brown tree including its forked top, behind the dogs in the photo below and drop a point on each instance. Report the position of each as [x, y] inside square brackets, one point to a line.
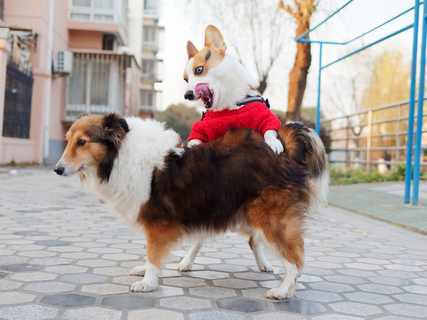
[301, 11]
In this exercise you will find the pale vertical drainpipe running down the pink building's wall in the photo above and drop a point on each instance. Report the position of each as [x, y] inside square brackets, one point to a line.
[48, 82]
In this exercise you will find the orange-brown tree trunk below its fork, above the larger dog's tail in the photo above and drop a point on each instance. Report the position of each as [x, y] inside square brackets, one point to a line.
[298, 74]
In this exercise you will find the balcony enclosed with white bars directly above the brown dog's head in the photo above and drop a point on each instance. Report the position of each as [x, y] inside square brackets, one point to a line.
[96, 85]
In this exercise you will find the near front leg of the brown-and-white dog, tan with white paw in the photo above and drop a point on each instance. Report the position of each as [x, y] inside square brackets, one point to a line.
[160, 238]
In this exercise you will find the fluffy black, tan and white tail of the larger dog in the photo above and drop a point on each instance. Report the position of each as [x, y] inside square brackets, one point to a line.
[304, 146]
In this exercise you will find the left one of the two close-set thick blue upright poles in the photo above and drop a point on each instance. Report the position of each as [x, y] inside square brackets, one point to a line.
[410, 137]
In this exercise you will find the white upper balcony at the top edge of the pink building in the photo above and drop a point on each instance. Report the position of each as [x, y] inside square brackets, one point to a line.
[108, 16]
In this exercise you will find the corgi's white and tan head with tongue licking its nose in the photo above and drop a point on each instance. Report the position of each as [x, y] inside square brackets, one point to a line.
[215, 78]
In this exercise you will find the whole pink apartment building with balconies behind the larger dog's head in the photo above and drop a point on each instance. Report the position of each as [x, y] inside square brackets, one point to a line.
[63, 58]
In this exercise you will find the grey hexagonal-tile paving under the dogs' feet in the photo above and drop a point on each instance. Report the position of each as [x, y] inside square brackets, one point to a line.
[64, 256]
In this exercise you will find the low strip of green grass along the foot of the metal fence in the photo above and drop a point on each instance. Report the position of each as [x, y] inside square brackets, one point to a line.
[353, 176]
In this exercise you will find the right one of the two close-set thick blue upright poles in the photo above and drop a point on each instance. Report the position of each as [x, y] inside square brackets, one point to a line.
[417, 164]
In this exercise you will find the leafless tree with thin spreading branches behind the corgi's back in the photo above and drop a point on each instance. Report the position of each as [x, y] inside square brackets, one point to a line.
[256, 30]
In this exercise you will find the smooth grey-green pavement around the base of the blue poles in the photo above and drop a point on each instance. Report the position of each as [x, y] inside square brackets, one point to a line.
[383, 201]
